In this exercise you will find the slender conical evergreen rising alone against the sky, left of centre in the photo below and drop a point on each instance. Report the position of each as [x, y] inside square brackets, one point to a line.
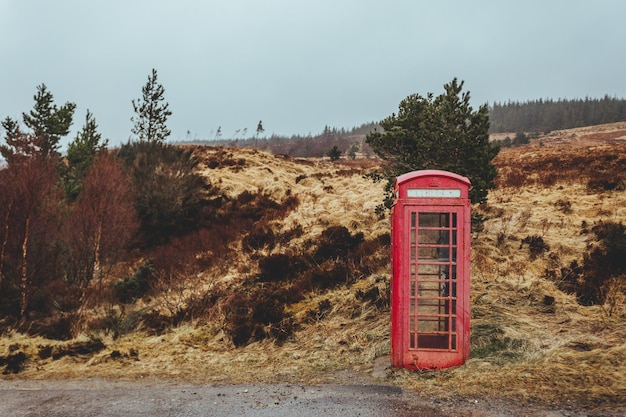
[150, 122]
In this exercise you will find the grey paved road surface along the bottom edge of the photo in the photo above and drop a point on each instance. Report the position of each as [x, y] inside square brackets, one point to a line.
[114, 399]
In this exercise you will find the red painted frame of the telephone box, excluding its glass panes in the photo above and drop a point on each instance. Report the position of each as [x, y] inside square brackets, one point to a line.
[402, 355]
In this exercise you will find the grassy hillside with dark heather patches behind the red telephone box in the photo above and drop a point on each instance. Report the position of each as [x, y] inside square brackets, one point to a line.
[309, 269]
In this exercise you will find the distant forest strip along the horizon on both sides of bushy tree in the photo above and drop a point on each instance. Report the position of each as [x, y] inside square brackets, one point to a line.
[530, 117]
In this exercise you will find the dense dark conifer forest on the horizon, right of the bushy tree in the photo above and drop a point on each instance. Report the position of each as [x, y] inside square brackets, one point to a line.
[548, 115]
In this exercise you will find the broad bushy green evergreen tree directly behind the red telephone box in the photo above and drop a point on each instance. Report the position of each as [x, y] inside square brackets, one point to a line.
[441, 132]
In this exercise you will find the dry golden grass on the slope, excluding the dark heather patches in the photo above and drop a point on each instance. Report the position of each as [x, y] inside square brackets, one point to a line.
[530, 340]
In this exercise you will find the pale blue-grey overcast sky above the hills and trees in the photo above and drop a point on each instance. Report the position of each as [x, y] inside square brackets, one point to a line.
[299, 65]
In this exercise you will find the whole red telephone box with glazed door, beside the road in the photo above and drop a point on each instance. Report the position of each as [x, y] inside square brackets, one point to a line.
[430, 283]
